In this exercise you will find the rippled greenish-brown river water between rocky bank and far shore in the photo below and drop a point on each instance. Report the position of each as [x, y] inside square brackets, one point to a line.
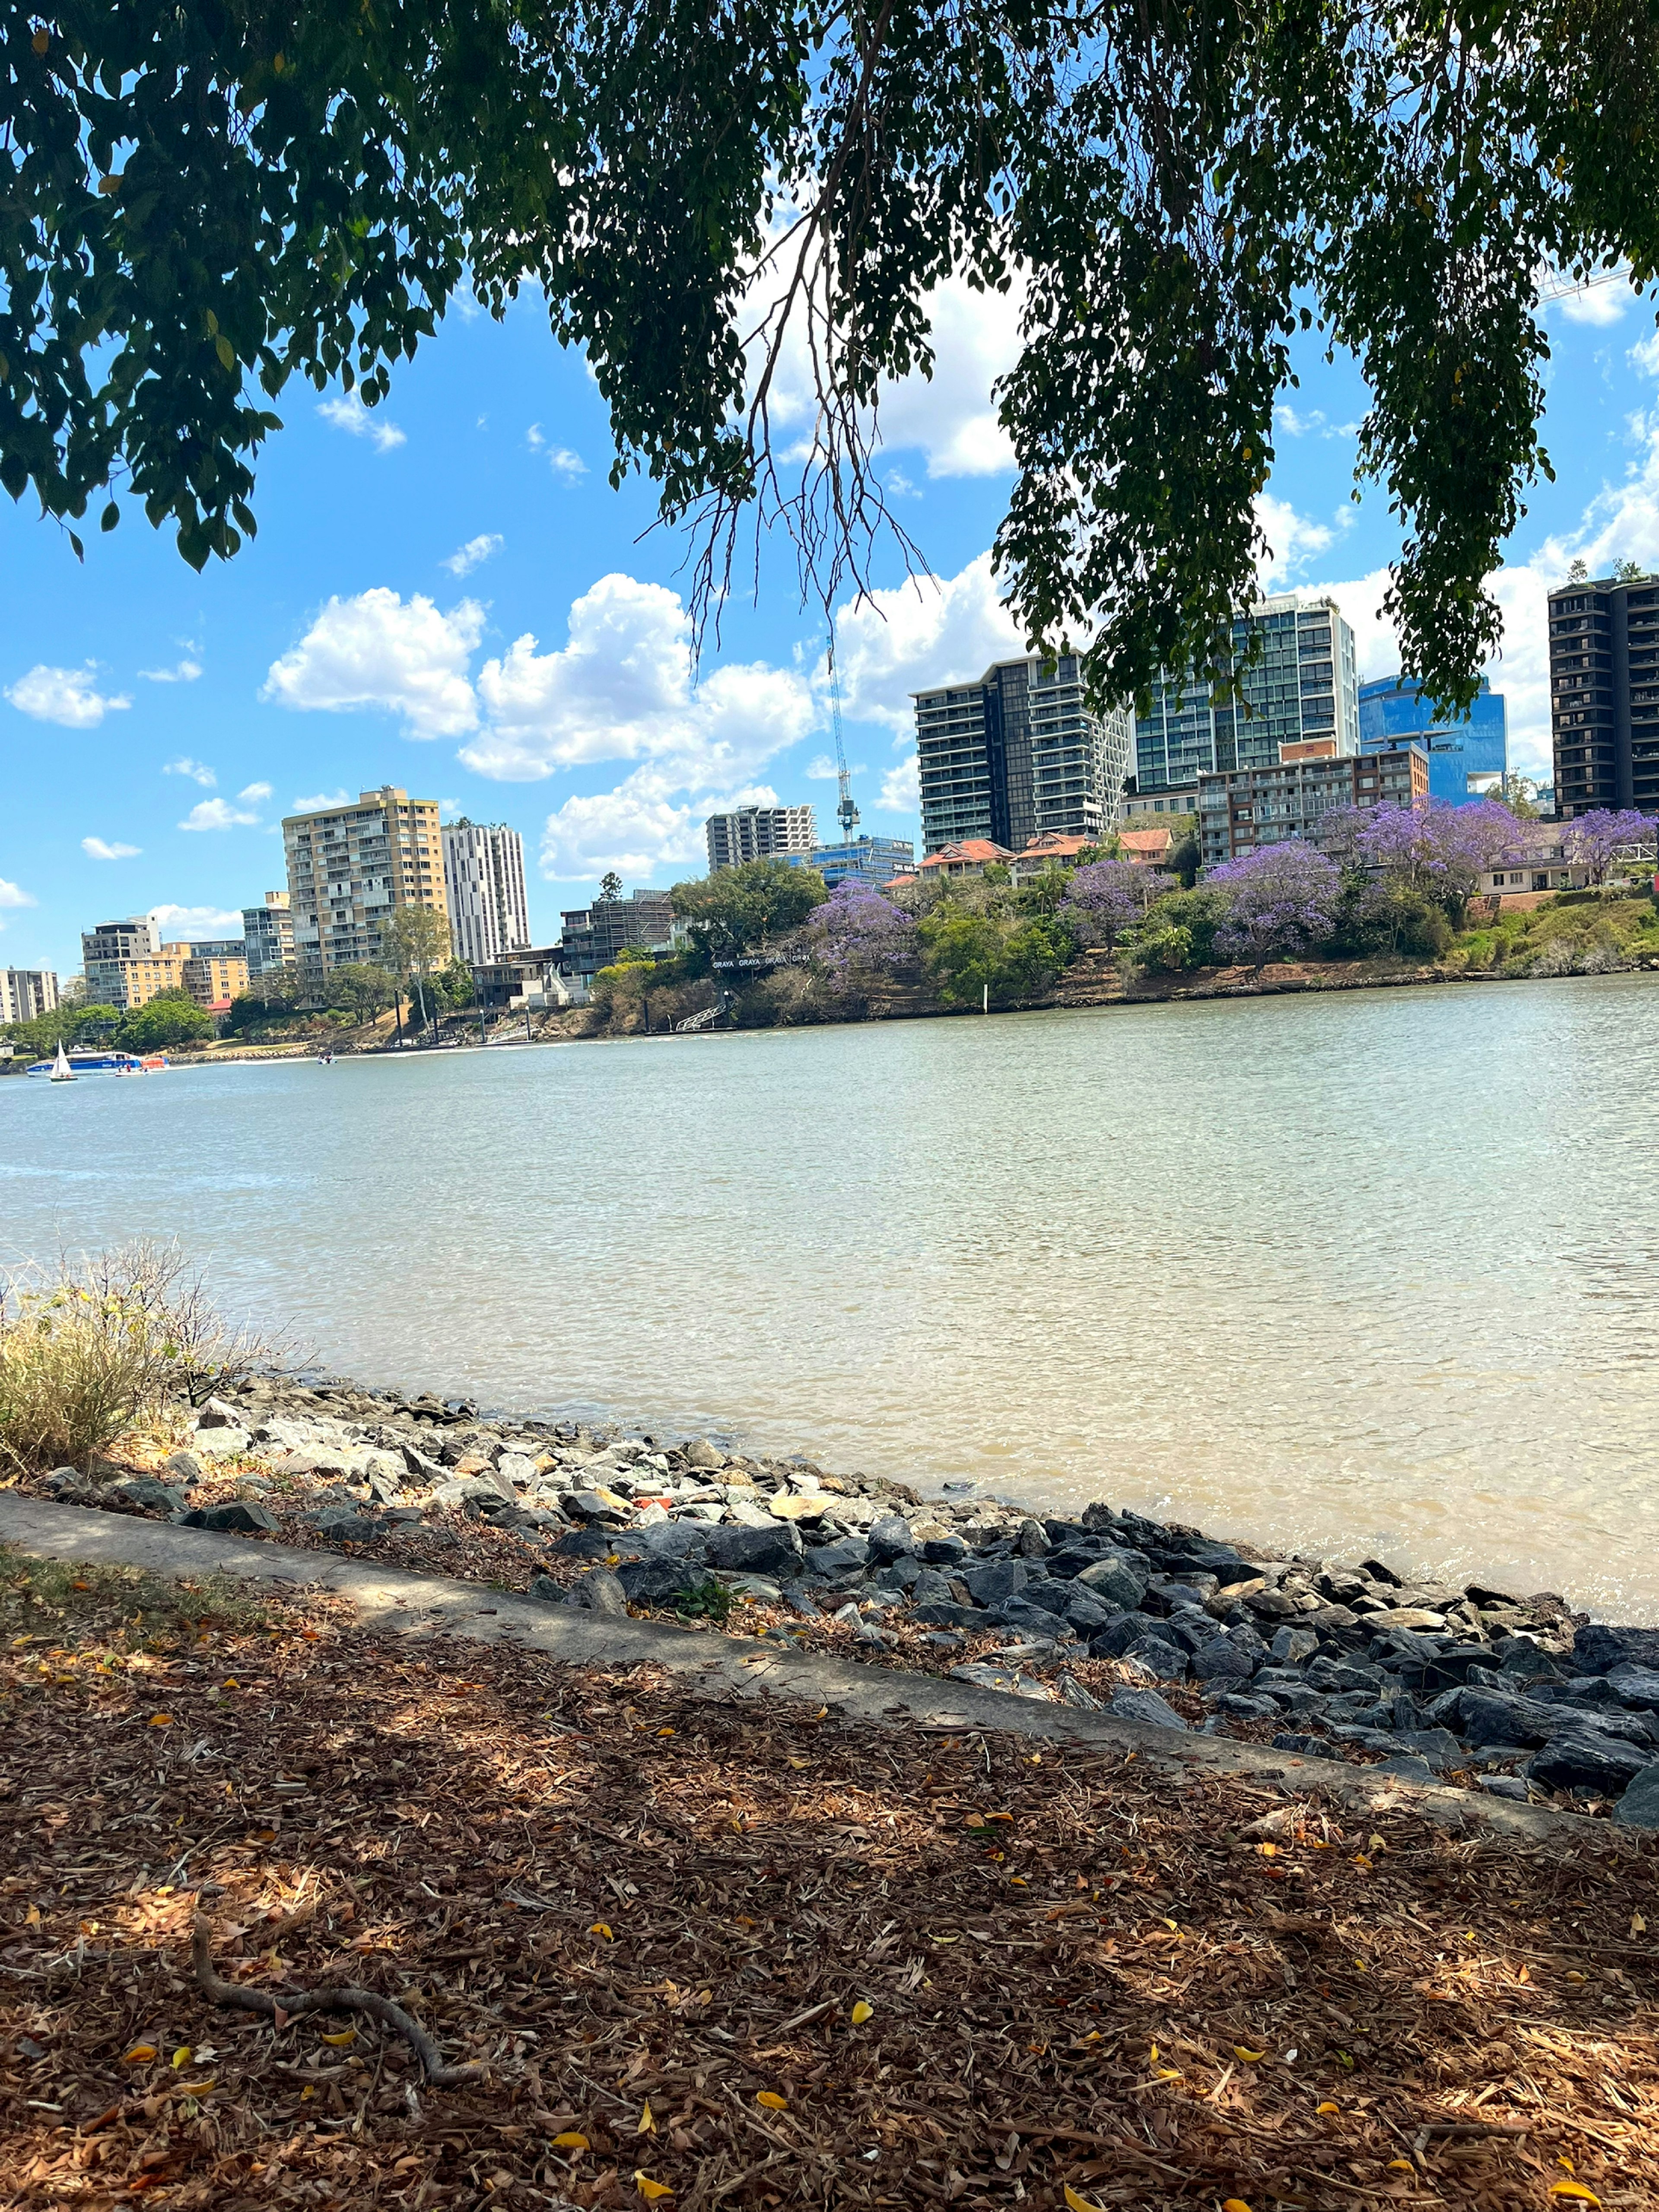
[1353, 1273]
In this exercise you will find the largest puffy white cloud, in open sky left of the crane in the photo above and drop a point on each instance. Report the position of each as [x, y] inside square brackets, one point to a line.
[623, 691]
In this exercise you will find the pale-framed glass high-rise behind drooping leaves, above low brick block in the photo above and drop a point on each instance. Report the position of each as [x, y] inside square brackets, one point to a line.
[1300, 685]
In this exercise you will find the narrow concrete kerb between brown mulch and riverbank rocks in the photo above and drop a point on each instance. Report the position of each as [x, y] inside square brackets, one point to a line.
[421, 1607]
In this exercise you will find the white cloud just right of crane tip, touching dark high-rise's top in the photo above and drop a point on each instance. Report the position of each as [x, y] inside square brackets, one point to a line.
[921, 634]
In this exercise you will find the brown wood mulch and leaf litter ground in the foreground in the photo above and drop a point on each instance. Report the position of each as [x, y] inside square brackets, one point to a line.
[744, 1954]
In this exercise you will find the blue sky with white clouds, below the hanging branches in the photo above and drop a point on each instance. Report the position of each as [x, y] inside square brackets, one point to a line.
[450, 596]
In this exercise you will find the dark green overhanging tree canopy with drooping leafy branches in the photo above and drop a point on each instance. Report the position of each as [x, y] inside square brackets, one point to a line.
[211, 198]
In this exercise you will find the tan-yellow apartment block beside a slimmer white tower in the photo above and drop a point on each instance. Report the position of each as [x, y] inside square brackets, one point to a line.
[351, 870]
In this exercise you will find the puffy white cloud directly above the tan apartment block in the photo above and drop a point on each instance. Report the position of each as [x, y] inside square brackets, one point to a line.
[375, 651]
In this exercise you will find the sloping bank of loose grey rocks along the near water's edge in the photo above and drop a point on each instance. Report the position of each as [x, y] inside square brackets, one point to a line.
[1342, 1660]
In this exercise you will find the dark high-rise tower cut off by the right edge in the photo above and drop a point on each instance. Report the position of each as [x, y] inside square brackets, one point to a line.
[1605, 696]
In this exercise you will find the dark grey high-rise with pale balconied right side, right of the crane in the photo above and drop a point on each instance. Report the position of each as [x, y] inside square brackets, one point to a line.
[1019, 755]
